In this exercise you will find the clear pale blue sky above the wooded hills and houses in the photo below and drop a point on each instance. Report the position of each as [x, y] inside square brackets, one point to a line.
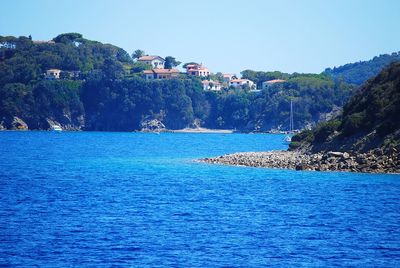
[226, 36]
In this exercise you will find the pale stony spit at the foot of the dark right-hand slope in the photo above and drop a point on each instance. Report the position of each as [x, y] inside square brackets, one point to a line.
[371, 162]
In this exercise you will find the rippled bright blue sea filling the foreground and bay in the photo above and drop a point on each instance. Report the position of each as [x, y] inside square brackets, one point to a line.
[101, 199]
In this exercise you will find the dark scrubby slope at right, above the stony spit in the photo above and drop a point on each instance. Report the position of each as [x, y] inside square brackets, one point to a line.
[370, 119]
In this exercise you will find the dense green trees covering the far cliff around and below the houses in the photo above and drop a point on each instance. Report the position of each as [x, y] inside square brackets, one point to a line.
[101, 88]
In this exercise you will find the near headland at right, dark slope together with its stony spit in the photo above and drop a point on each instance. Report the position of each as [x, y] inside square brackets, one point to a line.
[364, 138]
